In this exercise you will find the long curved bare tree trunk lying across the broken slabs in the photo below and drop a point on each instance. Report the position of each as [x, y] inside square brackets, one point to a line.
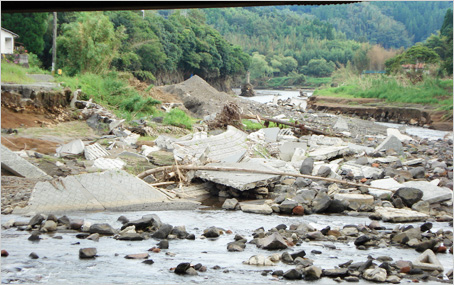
[215, 168]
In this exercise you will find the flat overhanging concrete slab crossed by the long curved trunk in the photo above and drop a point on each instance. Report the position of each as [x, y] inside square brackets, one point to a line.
[238, 179]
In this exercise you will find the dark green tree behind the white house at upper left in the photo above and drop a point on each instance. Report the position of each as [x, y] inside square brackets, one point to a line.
[30, 27]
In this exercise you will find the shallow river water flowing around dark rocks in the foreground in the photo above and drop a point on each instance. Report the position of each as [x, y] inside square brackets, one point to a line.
[59, 261]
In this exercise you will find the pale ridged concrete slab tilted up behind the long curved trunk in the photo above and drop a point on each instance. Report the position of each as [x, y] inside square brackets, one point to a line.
[222, 147]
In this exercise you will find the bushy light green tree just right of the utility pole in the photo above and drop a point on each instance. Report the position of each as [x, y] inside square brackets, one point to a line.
[89, 44]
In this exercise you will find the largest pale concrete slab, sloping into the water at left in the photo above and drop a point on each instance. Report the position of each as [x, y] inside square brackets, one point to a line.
[111, 190]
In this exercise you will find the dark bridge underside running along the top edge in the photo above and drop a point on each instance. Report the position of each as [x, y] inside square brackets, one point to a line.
[66, 6]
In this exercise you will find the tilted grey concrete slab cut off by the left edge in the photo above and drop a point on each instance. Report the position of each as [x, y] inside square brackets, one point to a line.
[19, 166]
